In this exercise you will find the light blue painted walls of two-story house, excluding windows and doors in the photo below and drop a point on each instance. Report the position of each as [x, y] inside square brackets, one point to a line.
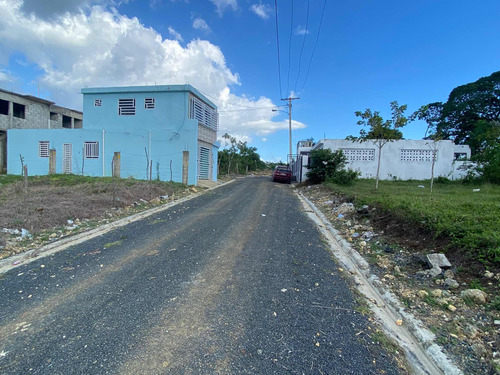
[163, 133]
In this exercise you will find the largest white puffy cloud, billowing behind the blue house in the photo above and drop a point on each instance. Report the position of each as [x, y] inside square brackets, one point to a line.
[72, 52]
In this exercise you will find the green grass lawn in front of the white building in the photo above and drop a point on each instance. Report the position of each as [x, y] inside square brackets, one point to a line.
[470, 220]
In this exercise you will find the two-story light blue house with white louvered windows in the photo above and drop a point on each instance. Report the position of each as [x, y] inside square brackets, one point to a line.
[158, 131]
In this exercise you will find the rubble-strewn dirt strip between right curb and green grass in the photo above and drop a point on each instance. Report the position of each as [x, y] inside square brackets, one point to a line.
[395, 249]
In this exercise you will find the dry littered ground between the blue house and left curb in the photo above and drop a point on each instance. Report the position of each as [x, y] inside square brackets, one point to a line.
[57, 206]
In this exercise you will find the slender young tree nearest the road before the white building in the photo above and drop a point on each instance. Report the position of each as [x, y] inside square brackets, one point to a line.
[381, 132]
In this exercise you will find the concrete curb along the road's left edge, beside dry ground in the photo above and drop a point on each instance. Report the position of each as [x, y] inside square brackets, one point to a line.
[31, 255]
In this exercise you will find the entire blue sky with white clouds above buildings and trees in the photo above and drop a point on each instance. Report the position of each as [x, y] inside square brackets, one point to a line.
[338, 57]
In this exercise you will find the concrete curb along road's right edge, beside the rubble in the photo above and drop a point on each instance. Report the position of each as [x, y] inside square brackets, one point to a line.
[423, 354]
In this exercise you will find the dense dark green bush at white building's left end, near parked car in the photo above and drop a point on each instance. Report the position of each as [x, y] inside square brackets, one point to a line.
[324, 163]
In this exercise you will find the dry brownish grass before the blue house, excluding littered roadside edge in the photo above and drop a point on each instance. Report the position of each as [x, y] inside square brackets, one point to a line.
[51, 201]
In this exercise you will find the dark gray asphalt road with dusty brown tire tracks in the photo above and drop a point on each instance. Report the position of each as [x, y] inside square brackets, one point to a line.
[235, 281]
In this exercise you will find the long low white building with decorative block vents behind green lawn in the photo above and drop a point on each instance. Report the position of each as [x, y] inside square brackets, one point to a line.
[403, 159]
